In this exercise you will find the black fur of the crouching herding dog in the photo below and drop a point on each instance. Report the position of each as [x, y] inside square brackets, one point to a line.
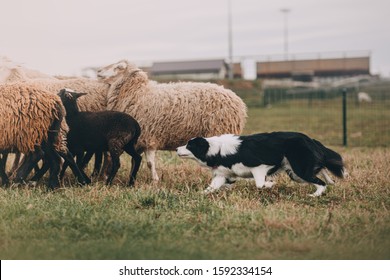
[306, 156]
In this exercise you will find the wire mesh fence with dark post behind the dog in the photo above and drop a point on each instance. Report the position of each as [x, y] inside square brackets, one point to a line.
[319, 112]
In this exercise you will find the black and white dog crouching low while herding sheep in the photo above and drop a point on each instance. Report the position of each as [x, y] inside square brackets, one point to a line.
[264, 154]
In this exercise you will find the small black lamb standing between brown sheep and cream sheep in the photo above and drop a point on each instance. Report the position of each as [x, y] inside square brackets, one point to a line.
[97, 132]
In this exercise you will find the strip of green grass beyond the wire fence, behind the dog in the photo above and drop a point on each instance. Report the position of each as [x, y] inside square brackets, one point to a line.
[367, 125]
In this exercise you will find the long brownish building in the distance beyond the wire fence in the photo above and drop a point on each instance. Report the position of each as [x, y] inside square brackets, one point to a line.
[306, 70]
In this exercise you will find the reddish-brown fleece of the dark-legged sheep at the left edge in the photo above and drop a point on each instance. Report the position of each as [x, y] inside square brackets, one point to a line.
[26, 114]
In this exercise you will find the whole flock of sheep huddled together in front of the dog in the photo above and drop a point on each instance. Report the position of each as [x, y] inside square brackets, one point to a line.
[41, 119]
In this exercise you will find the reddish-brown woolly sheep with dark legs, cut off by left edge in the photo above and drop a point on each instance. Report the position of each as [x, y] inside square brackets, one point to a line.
[30, 119]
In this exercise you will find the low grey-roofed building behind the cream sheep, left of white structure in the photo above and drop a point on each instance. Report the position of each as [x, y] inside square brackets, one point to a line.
[192, 70]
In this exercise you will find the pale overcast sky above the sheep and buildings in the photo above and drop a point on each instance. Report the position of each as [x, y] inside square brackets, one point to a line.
[62, 37]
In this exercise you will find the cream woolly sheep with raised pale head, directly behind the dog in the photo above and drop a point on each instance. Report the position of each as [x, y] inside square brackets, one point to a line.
[170, 114]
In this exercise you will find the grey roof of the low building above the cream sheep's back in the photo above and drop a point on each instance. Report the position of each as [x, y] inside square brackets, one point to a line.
[176, 67]
